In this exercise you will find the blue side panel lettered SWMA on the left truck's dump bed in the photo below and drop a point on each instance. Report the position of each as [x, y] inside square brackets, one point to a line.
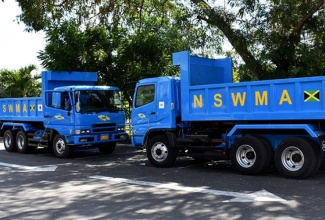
[21, 109]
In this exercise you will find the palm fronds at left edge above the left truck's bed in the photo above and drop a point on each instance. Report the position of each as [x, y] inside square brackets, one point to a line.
[19, 83]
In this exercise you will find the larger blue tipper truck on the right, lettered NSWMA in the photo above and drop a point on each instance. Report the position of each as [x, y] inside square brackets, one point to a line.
[257, 124]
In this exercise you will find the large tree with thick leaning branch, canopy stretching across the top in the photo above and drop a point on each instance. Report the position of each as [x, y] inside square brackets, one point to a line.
[274, 39]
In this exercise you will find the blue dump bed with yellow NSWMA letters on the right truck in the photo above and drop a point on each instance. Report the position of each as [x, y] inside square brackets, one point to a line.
[207, 93]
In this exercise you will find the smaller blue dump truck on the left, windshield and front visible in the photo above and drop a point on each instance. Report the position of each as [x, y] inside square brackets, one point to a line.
[72, 113]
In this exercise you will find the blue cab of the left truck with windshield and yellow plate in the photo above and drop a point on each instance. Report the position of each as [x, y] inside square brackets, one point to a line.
[85, 115]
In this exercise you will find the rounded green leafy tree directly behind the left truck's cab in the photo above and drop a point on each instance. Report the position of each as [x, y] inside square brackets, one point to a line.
[69, 48]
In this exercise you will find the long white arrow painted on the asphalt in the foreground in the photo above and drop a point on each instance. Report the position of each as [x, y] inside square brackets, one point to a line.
[259, 196]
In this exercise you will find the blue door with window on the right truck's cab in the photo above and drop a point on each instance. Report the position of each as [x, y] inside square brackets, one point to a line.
[144, 112]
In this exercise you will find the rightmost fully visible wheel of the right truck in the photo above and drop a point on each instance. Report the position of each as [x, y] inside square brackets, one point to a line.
[295, 158]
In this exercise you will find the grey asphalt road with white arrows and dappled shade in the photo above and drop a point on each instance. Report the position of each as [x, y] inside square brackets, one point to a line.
[124, 185]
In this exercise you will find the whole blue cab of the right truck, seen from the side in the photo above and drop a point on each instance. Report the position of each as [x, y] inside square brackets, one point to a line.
[155, 107]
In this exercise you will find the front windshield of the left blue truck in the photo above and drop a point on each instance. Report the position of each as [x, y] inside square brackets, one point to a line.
[88, 101]
